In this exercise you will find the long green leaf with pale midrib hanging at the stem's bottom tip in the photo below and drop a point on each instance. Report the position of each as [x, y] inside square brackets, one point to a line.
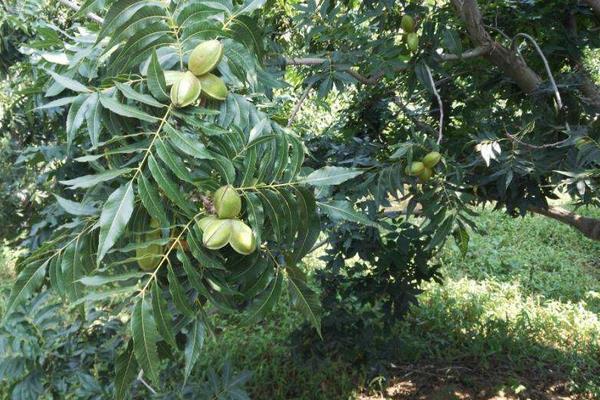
[145, 336]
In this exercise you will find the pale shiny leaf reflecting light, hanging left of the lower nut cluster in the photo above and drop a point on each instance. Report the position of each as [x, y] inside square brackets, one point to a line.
[116, 212]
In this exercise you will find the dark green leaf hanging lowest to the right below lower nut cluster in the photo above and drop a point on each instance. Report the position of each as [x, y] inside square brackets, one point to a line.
[304, 297]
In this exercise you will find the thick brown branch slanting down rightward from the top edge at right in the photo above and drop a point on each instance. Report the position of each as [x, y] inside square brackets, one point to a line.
[502, 57]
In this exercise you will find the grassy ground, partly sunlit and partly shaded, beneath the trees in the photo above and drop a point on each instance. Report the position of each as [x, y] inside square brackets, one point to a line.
[516, 318]
